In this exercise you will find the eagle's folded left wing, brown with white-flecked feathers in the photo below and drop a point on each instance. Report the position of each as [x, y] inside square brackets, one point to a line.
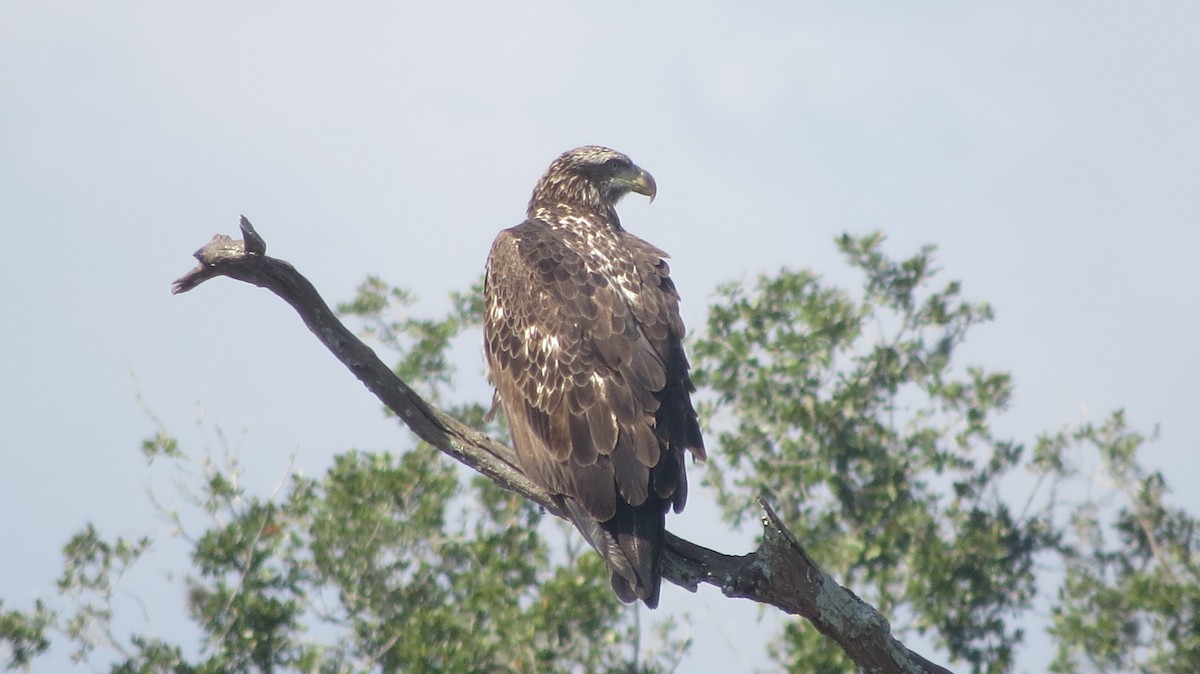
[572, 364]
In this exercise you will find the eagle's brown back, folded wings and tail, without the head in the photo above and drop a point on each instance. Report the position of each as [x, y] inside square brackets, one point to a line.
[581, 362]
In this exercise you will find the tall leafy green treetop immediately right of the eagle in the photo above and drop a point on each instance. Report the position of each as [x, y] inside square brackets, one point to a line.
[879, 454]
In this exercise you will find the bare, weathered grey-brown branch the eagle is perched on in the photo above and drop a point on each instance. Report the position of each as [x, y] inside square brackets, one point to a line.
[779, 574]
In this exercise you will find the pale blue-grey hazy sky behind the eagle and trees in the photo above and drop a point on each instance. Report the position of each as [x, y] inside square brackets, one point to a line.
[1051, 151]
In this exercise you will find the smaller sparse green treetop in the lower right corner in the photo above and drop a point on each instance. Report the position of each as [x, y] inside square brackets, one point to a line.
[1130, 600]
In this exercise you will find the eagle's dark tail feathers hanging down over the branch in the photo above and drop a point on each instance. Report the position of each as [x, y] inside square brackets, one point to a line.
[632, 546]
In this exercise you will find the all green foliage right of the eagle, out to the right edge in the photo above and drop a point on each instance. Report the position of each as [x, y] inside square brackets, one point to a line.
[851, 414]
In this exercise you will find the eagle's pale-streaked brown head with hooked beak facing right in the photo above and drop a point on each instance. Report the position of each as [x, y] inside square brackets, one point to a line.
[591, 178]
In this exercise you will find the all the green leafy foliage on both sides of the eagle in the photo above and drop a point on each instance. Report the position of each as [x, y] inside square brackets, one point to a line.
[847, 408]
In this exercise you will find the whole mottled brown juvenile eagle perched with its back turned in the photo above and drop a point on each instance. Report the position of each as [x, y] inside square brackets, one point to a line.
[584, 344]
